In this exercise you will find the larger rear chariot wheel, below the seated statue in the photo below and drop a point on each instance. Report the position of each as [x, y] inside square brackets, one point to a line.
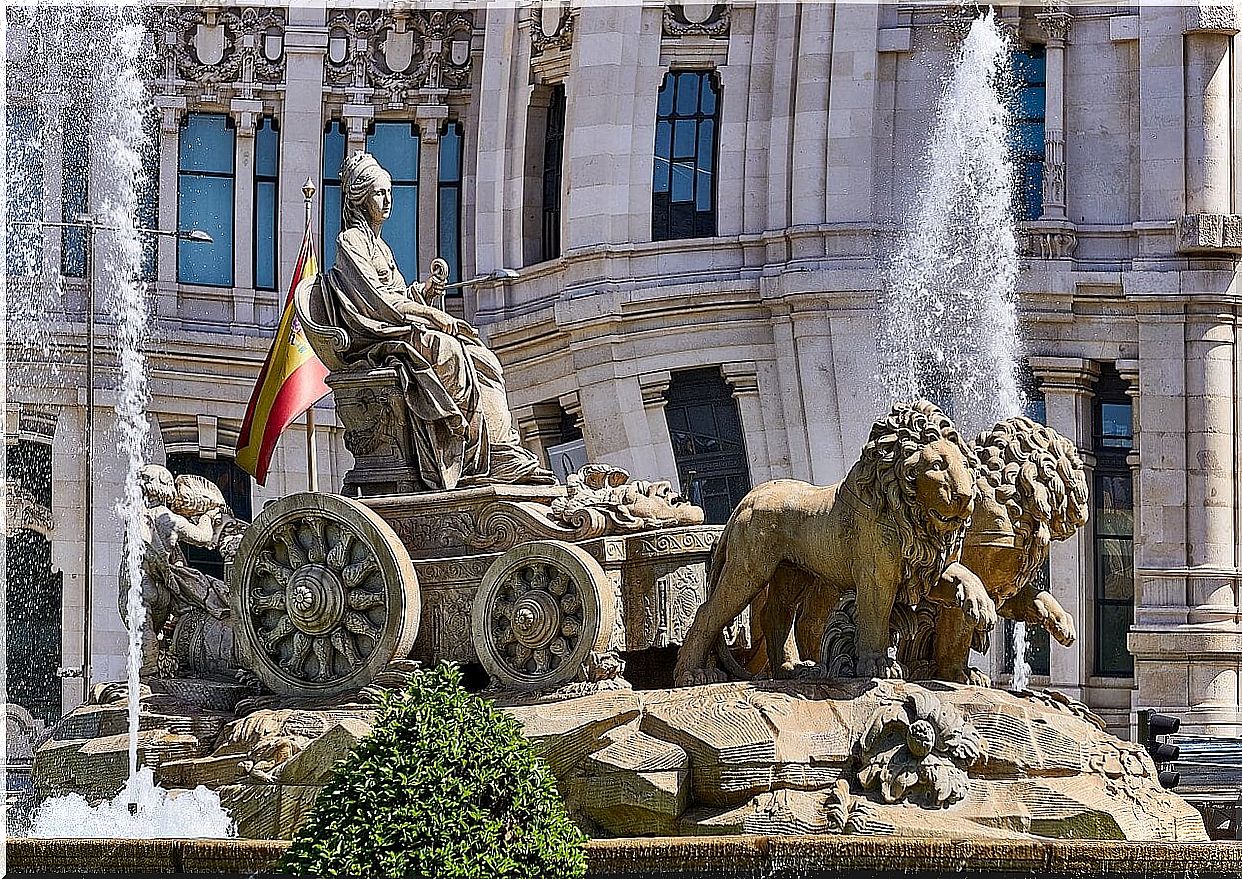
[324, 595]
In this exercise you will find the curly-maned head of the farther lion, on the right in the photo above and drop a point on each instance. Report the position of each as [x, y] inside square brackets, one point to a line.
[1035, 477]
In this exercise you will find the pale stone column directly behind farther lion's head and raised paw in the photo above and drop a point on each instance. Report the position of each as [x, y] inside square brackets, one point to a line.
[1067, 385]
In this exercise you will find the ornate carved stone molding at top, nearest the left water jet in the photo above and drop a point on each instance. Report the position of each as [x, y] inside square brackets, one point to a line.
[213, 47]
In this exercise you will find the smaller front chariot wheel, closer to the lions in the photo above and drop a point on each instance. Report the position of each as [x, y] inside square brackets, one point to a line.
[542, 609]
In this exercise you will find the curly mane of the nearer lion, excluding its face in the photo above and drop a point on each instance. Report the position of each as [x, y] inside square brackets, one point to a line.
[886, 482]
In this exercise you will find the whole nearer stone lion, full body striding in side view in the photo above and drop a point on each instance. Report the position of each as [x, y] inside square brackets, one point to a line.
[892, 531]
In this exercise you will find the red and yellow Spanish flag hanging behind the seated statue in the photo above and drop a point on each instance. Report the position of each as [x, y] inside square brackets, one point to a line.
[290, 383]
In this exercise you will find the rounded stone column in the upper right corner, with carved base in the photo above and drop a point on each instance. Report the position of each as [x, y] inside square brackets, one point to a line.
[1209, 224]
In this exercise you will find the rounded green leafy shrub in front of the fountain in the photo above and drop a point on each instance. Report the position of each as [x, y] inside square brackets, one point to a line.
[445, 788]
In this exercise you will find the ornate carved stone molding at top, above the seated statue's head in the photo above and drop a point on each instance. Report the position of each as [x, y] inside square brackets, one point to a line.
[399, 52]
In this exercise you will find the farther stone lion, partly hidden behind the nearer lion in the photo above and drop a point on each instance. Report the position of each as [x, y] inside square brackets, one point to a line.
[1033, 491]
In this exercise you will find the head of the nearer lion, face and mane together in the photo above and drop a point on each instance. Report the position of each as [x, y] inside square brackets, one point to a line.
[920, 477]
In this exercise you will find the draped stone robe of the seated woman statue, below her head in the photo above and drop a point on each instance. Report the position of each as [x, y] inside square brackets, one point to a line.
[461, 428]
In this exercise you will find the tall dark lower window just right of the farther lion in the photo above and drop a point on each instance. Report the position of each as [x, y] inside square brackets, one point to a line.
[1113, 526]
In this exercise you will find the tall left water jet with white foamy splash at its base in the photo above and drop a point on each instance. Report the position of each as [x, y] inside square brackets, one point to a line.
[109, 47]
